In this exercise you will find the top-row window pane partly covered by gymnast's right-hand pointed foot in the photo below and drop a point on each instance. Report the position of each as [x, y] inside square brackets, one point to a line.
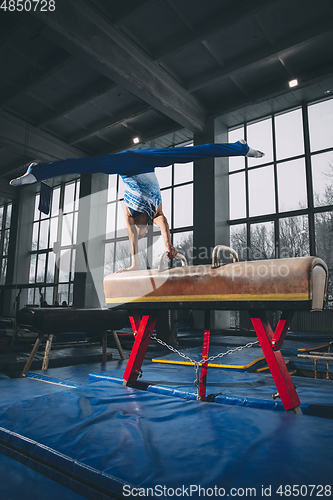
[259, 136]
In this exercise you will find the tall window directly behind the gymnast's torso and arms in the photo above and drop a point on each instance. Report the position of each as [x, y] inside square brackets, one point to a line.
[176, 182]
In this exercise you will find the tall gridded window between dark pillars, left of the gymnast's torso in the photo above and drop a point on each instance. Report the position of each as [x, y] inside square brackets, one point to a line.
[53, 247]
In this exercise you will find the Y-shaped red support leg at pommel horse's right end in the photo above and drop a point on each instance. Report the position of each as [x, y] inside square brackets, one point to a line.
[271, 344]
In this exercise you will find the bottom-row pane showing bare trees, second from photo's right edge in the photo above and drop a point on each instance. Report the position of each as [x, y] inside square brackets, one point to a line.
[294, 236]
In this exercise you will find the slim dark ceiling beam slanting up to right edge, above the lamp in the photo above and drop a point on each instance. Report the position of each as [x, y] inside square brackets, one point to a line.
[262, 55]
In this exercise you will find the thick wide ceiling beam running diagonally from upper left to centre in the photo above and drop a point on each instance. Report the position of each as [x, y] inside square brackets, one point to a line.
[80, 30]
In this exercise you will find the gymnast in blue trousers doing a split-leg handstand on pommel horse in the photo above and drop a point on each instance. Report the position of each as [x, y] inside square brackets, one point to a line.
[143, 201]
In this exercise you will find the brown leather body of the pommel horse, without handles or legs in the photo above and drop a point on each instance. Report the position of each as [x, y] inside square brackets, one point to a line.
[293, 284]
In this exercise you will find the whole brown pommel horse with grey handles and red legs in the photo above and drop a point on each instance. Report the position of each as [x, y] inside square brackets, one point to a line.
[283, 285]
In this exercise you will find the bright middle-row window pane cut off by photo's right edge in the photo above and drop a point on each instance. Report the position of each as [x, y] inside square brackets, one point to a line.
[322, 178]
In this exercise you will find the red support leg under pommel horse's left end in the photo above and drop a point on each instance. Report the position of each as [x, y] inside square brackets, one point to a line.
[142, 330]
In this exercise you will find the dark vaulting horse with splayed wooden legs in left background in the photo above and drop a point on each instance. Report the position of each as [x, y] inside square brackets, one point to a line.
[47, 321]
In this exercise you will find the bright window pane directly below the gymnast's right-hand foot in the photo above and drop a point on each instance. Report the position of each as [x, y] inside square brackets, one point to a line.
[261, 191]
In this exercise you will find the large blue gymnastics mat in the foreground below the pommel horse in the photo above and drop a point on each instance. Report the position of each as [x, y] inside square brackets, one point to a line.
[101, 440]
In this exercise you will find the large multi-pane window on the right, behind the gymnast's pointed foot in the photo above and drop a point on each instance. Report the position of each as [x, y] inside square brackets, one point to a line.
[282, 205]
